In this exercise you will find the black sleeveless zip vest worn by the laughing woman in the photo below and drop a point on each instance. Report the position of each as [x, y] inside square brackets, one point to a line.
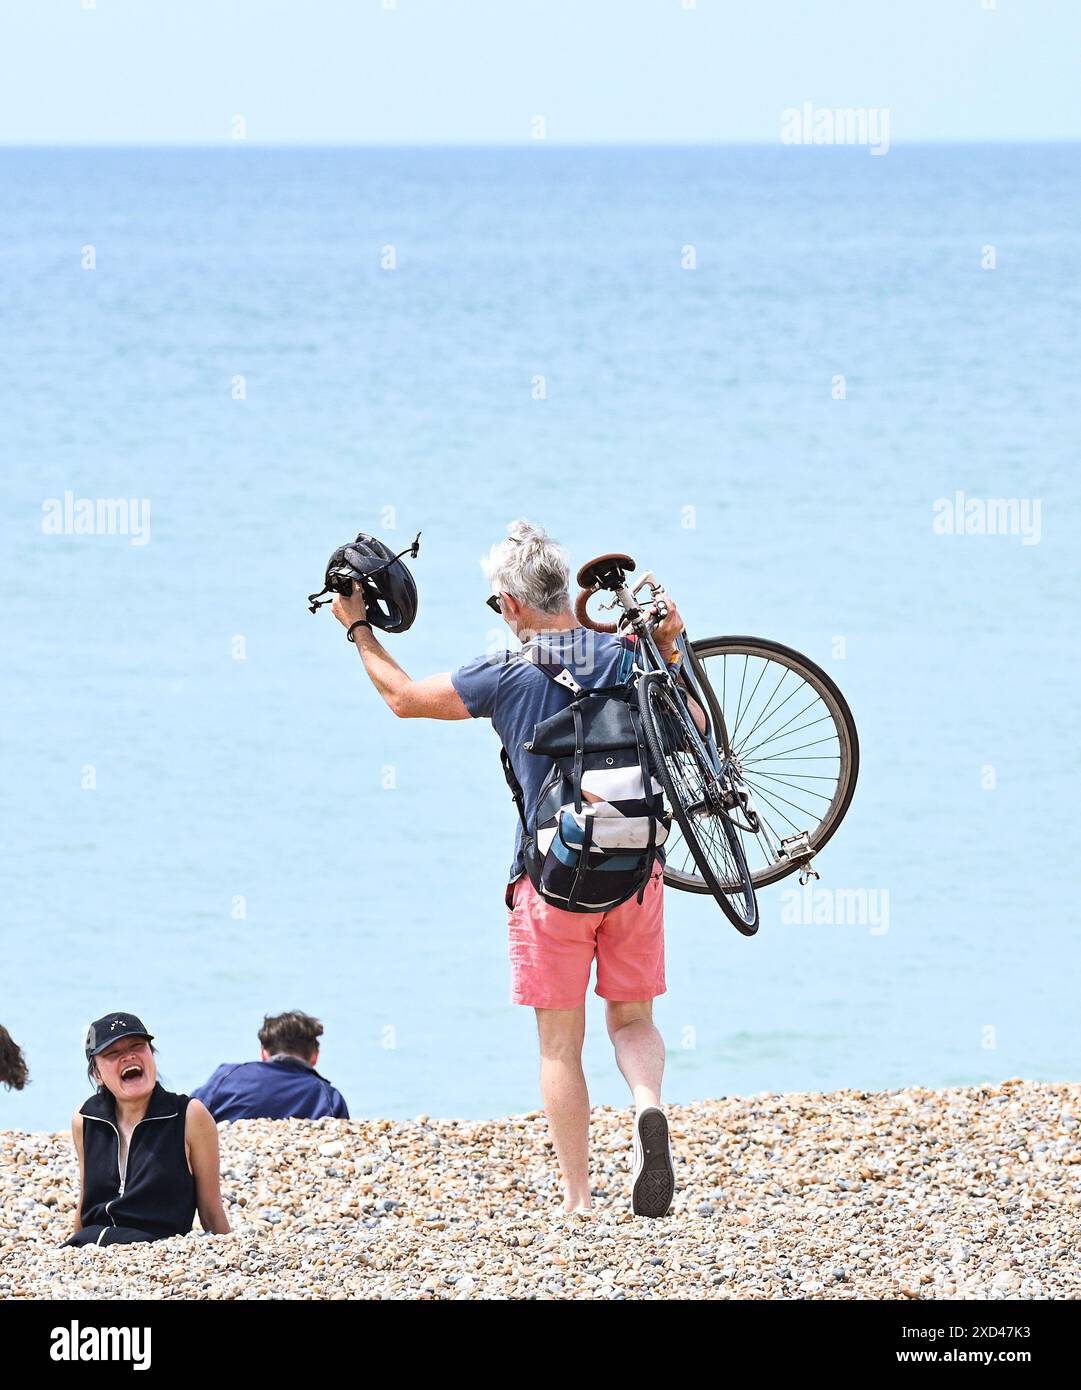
[158, 1193]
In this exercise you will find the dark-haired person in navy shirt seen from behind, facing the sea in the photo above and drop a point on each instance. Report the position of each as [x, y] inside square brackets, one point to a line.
[284, 1085]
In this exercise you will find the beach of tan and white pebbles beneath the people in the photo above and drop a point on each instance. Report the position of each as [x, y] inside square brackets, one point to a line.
[962, 1193]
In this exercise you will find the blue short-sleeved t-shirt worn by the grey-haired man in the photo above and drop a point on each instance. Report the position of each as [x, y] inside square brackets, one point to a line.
[516, 696]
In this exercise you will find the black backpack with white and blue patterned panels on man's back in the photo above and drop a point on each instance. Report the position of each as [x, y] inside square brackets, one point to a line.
[601, 815]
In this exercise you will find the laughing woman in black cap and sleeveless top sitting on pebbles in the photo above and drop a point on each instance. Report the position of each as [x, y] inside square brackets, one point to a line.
[148, 1159]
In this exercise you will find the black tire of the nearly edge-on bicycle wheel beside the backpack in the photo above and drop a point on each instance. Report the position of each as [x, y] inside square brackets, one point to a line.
[658, 744]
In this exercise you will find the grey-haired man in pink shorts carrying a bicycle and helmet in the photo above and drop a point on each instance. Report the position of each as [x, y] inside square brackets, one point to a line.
[552, 951]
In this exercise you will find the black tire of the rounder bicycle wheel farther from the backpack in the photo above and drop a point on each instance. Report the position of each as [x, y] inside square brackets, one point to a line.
[845, 726]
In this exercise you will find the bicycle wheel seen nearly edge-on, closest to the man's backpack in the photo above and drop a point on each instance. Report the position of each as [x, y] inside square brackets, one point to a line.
[694, 793]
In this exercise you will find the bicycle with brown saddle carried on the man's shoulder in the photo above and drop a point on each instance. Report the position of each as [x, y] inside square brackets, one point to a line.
[718, 780]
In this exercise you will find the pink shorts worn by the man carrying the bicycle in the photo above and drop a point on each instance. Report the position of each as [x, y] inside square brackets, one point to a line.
[552, 951]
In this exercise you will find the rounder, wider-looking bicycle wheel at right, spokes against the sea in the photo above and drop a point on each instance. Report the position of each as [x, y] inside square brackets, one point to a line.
[793, 739]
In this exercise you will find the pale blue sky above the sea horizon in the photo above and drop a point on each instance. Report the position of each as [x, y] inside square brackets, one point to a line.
[477, 72]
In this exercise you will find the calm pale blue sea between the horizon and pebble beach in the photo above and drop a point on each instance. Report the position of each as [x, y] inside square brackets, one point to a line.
[395, 401]
